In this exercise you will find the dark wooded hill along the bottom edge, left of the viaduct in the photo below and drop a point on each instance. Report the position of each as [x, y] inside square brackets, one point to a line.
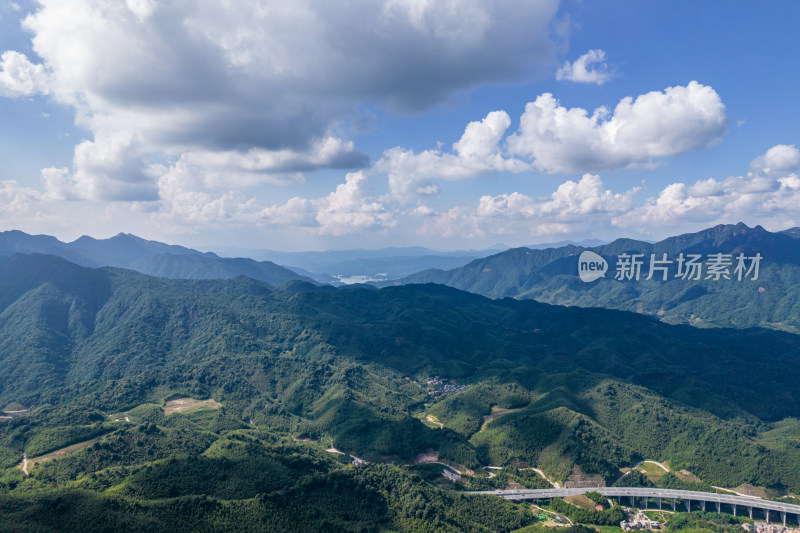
[243, 484]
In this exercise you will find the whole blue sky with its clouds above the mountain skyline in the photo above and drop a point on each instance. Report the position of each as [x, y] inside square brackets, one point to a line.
[321, 126]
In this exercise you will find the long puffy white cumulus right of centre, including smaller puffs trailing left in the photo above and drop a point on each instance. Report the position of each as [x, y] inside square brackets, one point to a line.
[553, 138]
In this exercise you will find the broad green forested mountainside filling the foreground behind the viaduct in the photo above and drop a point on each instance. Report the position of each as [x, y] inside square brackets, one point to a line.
[95, 356]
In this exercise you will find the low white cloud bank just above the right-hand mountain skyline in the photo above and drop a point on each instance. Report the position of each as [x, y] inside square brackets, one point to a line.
[769, 195]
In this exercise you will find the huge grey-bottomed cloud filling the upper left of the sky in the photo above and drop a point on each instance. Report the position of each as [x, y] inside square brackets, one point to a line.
[257, 87]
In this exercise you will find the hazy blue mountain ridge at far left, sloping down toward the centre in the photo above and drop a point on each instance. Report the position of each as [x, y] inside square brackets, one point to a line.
[148, 257]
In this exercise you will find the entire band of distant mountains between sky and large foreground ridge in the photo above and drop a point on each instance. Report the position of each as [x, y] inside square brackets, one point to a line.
[546, 272]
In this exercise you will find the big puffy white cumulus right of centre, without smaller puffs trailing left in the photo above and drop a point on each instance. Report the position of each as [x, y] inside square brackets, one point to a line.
[654, 125]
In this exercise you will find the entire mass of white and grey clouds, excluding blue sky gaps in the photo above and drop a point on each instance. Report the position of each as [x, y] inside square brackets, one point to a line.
[190, 104]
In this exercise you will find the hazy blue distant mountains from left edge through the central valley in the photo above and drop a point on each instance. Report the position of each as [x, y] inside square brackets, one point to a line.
[178, 262]
